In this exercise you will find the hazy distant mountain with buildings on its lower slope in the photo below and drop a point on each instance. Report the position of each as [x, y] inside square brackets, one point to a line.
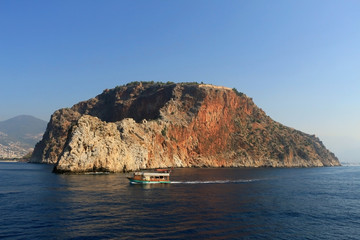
[19, 135]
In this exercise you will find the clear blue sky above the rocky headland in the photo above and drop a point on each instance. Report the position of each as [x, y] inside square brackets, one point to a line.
[298, 60]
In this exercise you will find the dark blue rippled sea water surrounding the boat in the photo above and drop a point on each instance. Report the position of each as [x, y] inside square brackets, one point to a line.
[302, 203]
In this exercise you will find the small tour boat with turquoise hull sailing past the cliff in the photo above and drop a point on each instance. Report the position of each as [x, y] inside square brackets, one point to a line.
[158, 176]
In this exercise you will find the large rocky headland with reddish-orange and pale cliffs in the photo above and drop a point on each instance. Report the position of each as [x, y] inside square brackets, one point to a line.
[147, 125]
